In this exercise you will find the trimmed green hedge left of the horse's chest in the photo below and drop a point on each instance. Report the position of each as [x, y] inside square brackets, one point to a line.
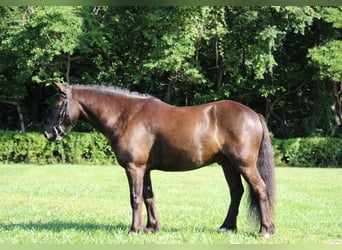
[75, 148]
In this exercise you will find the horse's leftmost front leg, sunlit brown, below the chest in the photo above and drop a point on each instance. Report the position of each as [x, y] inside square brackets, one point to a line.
[135, 175]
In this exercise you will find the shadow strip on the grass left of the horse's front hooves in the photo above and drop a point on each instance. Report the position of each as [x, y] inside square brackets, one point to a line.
[58, 226]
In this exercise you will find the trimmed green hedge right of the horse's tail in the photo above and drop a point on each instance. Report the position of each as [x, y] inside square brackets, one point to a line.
[308, 152]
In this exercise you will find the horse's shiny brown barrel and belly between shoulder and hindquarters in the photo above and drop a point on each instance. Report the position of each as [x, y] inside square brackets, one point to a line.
[187, 140]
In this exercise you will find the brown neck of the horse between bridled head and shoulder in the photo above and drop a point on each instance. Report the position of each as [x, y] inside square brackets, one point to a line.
[104, 111]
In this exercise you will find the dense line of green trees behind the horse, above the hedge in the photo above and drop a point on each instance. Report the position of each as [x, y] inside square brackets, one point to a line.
[284, 62]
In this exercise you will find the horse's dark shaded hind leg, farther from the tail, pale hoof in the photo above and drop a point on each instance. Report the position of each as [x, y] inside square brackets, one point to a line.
[236, 190]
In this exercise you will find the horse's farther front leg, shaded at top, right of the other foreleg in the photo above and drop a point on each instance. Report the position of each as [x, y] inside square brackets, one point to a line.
[153, 223]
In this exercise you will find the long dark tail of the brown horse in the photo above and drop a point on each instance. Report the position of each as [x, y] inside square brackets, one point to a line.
[265, 166]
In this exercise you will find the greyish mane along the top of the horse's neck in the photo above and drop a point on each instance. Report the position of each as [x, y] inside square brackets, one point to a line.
[113, 90]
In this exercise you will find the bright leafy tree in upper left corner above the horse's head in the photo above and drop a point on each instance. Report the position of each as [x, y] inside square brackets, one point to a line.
[41, 44]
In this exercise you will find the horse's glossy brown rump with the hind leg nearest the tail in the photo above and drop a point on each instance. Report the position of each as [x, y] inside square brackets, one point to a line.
[248, 147]
